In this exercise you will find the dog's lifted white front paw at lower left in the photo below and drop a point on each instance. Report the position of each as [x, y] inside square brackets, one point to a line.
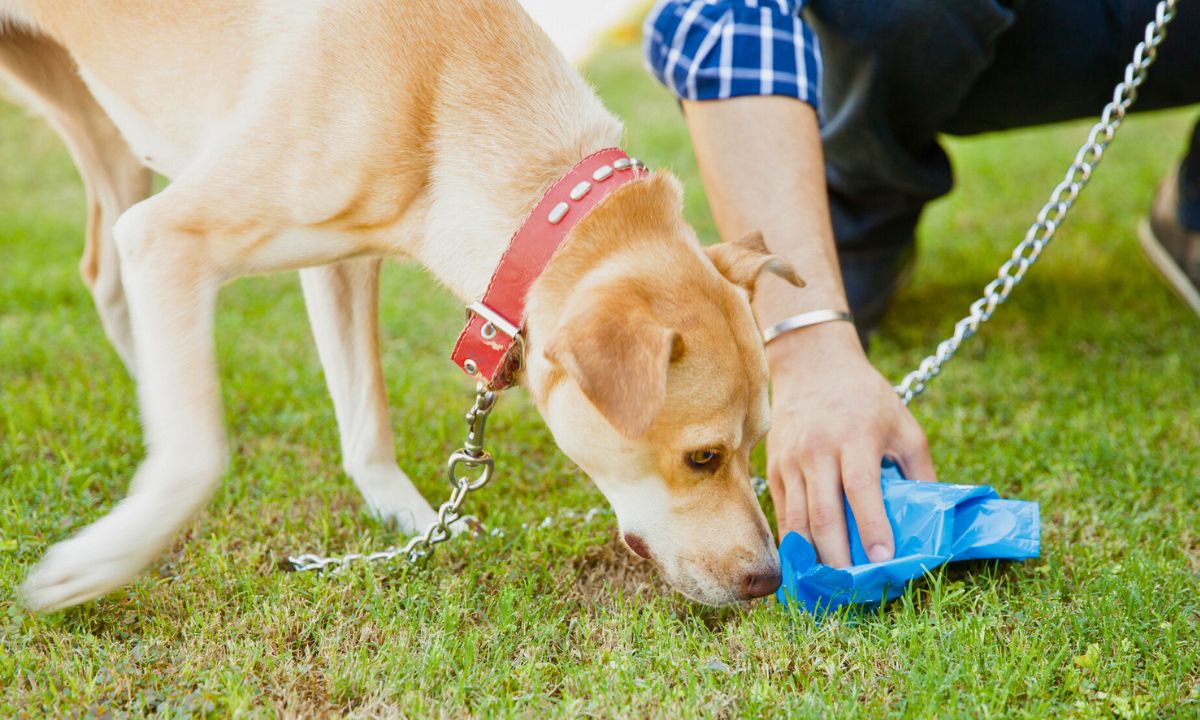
[98, 560]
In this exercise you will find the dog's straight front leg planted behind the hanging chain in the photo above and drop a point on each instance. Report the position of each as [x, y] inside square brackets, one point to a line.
[344, 310]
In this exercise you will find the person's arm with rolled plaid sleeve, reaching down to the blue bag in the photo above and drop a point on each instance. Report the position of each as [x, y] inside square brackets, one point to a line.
[758, 142]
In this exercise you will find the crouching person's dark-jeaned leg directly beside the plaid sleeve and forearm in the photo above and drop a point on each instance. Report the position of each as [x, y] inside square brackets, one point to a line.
[893, 74]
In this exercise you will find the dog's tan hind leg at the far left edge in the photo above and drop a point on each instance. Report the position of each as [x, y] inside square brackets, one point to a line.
[116, 181]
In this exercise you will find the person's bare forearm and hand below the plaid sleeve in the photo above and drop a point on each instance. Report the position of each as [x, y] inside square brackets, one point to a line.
[835, 416]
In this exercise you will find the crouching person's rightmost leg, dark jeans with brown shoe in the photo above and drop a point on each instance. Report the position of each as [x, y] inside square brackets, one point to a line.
[1096, 43]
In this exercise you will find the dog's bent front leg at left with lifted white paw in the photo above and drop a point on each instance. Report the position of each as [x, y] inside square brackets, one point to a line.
[172, 289]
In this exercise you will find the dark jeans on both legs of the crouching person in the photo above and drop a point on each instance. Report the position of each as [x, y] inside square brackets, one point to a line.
[901, 73]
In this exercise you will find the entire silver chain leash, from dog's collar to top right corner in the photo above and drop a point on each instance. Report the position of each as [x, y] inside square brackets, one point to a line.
[1052, 217]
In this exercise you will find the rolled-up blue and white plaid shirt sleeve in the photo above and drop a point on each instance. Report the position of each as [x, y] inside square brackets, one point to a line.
[712, 50]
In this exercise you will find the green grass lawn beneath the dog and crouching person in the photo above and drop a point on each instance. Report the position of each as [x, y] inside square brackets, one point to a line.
[1082, 395]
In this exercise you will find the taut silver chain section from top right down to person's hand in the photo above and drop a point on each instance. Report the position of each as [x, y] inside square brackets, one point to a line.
[1054, 213]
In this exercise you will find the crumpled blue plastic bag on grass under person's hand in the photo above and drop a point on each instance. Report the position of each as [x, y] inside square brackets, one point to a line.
[933, 524]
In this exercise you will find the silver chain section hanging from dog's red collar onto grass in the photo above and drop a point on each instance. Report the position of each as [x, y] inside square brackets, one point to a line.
[471, 457]
